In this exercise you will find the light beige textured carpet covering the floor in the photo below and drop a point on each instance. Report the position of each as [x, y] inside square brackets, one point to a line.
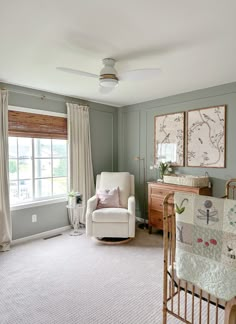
[68, 280]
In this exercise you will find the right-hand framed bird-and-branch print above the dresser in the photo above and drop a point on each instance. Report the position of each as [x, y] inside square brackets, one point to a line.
[206, 137]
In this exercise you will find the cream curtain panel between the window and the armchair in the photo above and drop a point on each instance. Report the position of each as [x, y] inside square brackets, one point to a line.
[80, 156]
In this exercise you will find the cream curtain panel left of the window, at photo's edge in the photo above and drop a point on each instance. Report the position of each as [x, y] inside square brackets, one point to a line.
[5, 216]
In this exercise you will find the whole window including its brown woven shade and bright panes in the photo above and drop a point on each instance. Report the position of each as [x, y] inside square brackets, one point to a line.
[37, 155]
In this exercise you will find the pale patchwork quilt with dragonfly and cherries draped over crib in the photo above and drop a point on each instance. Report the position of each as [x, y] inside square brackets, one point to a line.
[206, 243]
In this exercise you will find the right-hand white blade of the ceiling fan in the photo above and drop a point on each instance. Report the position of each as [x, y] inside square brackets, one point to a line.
[140, 74]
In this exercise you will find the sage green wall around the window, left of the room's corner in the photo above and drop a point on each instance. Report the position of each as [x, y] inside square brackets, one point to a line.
[103, 123]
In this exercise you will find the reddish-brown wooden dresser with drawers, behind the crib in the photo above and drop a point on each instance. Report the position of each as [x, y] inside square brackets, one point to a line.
[156, 194]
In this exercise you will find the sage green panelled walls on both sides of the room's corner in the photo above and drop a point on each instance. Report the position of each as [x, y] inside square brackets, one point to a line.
[133, 128]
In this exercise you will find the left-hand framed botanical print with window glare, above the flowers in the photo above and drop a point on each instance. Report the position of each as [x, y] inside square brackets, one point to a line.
[169, 139]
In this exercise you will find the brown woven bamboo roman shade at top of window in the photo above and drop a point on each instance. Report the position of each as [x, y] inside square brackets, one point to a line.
[24, 124]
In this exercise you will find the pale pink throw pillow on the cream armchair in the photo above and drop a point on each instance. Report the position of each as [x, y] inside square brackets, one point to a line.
[108, 198]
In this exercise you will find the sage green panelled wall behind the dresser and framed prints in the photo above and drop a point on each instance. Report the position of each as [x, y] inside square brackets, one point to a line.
[136, 134]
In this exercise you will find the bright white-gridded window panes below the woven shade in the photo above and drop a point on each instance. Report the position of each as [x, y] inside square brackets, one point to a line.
[37, 169]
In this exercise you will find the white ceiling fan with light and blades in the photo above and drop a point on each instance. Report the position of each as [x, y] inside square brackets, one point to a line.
[109, 78]
